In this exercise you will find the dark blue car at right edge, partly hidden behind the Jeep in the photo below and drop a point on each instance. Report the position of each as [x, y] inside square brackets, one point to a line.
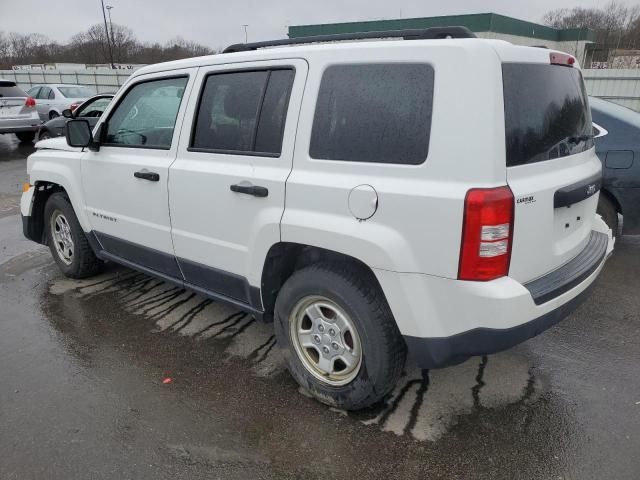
[619, 151]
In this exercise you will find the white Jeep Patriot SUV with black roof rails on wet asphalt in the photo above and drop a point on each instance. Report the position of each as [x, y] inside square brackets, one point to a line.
[429, 193]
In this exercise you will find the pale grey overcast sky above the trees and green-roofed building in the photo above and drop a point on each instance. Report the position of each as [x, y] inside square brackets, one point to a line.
[218, 23]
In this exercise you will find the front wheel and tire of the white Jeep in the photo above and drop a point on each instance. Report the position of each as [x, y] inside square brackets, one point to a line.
[66, 239]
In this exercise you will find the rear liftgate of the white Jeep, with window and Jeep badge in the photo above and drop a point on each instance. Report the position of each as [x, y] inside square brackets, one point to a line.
[552, 168]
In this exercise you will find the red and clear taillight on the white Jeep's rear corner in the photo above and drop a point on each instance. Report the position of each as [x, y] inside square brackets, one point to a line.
[487, 234]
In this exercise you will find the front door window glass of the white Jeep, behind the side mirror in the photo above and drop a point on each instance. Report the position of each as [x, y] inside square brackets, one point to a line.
[146, 116]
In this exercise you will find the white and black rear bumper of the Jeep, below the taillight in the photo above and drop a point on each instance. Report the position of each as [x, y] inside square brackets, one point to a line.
[446, 321]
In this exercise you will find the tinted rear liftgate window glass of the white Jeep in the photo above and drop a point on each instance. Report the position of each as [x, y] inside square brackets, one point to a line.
[547, 114]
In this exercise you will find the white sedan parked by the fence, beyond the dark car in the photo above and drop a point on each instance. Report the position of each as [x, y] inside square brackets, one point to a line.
[53, 98]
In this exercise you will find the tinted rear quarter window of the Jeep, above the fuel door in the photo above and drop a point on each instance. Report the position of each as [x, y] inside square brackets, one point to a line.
[378, 113]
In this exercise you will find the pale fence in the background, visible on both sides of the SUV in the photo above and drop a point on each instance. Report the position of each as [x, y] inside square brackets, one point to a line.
[617, 85]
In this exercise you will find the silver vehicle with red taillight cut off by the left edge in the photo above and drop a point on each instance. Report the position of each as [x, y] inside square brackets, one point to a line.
[18, 112]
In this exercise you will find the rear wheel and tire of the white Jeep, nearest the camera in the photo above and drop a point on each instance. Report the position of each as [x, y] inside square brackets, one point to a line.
[339, 338]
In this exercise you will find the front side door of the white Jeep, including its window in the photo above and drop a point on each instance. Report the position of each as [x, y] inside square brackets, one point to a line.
[125, 182]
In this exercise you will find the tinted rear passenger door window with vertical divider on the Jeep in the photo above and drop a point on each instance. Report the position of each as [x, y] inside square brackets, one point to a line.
[243, 112]
